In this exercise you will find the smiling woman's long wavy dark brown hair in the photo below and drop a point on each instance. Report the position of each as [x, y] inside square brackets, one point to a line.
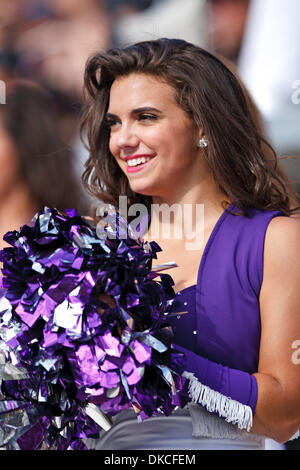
[213, 98]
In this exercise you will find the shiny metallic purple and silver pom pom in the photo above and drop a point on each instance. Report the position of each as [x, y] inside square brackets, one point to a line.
[83, 332]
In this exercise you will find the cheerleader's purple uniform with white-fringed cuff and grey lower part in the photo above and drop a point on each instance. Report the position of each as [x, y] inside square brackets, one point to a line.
[220, 336]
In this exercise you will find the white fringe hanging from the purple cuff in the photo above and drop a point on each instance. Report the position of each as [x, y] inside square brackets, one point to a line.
[231, 410]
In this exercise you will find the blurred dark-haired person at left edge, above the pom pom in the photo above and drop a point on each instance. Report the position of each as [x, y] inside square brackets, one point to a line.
[36, 165]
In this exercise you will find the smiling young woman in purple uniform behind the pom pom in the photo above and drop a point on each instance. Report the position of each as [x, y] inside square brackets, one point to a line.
[168, 126]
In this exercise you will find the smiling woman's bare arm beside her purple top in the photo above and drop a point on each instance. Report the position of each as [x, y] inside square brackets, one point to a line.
[278, 405]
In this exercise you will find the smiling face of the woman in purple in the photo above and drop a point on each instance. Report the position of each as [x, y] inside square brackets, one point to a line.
[152, 139]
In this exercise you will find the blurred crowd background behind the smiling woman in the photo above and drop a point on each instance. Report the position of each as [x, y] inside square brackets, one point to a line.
[44, 45]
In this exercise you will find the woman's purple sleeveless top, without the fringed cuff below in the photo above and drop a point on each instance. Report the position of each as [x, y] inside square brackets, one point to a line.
[223, 319]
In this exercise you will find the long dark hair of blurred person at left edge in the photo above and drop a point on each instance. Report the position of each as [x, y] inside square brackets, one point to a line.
[31, 118]
